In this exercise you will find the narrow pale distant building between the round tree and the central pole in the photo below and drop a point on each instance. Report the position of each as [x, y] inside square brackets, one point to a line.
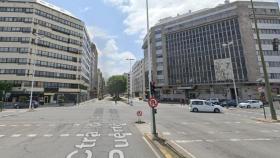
[138, 79]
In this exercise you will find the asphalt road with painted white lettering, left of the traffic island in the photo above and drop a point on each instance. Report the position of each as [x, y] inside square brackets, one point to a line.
[97, 129]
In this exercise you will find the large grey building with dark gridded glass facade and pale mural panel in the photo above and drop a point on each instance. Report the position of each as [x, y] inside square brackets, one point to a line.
[189, 60]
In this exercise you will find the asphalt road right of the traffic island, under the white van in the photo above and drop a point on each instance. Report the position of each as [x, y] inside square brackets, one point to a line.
[232, 134]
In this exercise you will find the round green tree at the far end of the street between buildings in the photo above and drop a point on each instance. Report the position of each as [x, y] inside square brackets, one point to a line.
[116, 85]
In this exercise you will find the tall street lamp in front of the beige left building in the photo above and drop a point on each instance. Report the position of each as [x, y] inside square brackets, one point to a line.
[34, 68]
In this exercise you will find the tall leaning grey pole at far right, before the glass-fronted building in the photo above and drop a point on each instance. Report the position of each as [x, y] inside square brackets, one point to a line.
[267, 84]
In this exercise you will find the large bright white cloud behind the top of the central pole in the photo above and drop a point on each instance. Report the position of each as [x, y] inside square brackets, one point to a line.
[135, 21]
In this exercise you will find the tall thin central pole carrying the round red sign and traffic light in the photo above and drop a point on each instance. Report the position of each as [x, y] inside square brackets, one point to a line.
[153, 111]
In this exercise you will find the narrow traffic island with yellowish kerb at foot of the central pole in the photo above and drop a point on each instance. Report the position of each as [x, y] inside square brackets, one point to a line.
[166, 149]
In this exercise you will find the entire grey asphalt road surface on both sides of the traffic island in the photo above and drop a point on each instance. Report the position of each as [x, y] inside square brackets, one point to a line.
[100, 128]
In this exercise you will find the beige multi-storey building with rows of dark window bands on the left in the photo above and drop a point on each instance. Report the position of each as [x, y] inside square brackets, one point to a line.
[33, 31]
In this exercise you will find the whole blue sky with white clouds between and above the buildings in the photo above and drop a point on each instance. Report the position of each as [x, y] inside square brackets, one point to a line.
[119, 26]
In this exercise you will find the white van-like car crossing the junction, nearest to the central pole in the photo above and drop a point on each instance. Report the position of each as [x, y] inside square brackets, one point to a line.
[197, 105]
